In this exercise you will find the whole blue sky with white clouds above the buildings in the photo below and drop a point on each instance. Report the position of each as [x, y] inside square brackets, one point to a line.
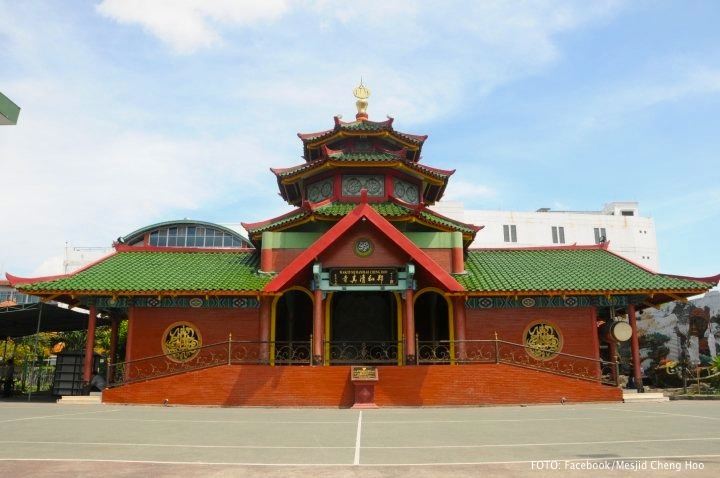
[140, 111]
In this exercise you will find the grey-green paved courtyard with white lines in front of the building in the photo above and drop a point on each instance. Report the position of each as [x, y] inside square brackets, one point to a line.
[45, 439]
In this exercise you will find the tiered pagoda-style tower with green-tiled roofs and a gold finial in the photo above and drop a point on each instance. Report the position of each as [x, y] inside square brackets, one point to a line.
[361, 155]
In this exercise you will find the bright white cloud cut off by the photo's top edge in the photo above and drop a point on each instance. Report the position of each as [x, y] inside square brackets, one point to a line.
[187, 25]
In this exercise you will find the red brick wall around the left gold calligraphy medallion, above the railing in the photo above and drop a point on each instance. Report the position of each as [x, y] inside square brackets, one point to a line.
[149, 324]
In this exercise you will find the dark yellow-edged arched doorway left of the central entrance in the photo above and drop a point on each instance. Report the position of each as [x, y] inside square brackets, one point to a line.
[292, 327]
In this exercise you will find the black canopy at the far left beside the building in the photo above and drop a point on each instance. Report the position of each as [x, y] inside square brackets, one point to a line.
[22, 320]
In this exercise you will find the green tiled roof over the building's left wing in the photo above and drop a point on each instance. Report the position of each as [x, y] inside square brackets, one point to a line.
[152, 271]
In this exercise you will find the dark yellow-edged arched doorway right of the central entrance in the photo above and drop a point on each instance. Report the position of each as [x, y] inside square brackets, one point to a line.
[433, 327]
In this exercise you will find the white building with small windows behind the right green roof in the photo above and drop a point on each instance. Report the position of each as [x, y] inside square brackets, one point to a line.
[630, 235]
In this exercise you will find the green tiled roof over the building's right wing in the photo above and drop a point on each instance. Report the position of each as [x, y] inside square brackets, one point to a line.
[564, 270]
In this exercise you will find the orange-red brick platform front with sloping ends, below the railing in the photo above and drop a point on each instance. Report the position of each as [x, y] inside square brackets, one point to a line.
[299, 386]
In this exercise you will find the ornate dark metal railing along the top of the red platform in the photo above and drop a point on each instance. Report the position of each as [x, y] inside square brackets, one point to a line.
[360, 352]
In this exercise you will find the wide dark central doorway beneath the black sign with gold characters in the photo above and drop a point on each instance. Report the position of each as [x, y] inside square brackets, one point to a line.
[363, 328]
